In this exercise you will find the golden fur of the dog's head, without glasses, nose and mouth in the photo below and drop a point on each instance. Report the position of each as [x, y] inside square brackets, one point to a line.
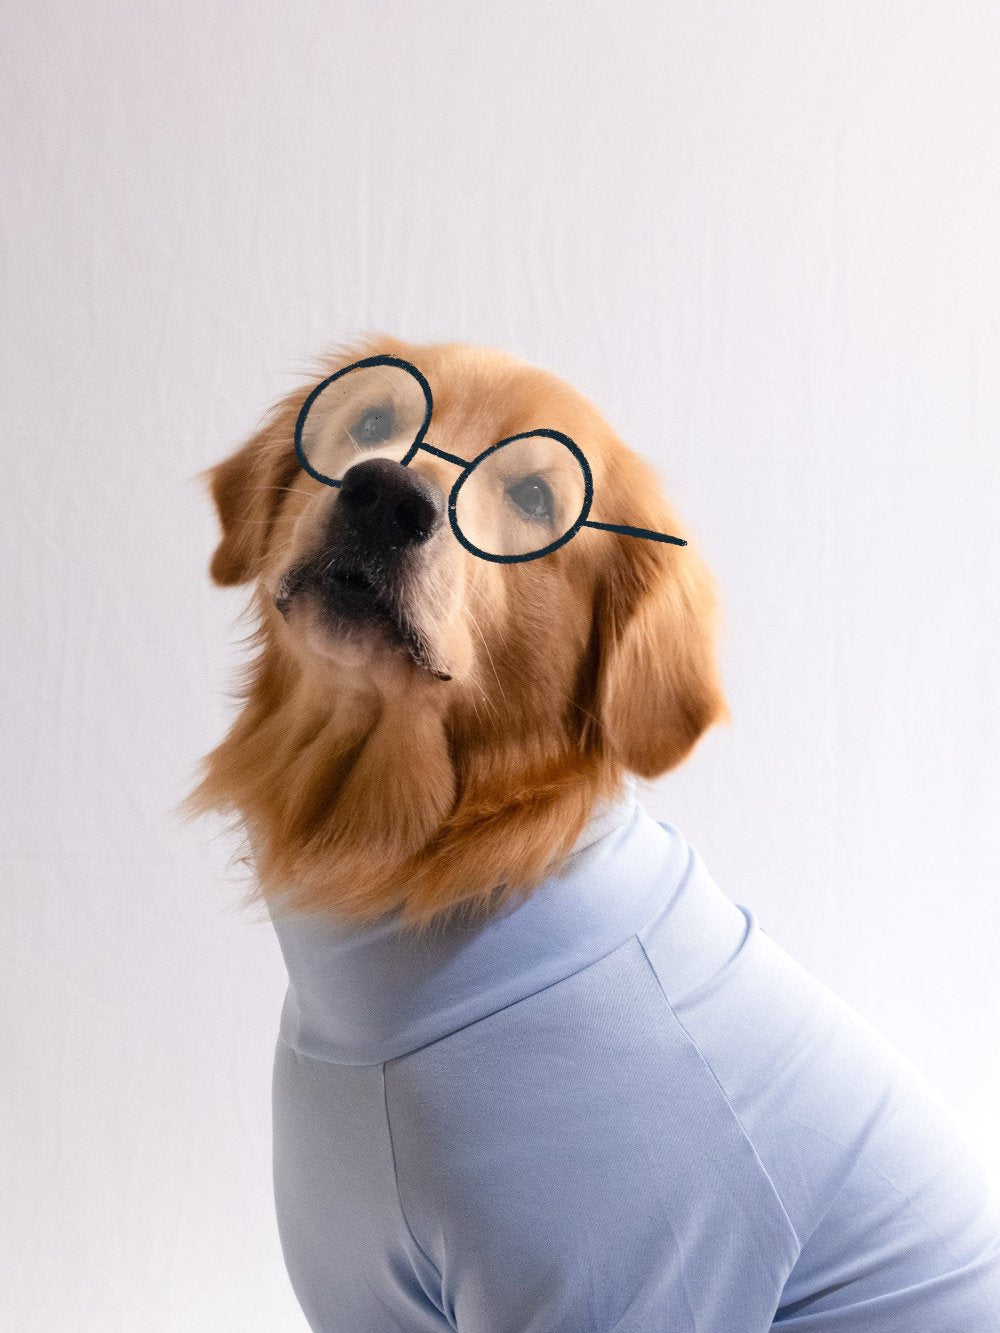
[365, 783]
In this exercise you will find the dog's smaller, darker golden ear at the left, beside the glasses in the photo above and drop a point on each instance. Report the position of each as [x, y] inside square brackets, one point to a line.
[247, 491]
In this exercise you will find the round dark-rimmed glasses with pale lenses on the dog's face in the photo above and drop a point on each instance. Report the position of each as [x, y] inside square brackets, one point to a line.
[518, 501]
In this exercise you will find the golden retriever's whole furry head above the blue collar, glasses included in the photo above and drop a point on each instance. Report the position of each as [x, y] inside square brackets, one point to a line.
[435, 706]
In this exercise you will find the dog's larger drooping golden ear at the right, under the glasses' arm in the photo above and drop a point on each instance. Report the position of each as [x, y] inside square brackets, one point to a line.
[658, 684]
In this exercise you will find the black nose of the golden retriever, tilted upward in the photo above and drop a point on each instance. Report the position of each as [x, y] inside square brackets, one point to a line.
[390, 503]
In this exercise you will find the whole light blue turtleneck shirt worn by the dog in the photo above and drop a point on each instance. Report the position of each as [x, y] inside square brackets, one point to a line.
[617, 1107]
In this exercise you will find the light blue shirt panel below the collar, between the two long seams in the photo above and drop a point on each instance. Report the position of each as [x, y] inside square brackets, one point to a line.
[571, 1164]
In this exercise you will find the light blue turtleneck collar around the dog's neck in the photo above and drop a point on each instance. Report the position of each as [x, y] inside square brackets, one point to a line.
[365, 996]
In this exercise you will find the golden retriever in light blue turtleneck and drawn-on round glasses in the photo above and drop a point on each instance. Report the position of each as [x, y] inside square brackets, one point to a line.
[535, 1072]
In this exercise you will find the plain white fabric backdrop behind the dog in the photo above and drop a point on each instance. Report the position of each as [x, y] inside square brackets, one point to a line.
[762, 237]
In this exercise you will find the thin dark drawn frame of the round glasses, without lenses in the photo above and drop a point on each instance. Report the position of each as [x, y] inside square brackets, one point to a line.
[469, 467]
